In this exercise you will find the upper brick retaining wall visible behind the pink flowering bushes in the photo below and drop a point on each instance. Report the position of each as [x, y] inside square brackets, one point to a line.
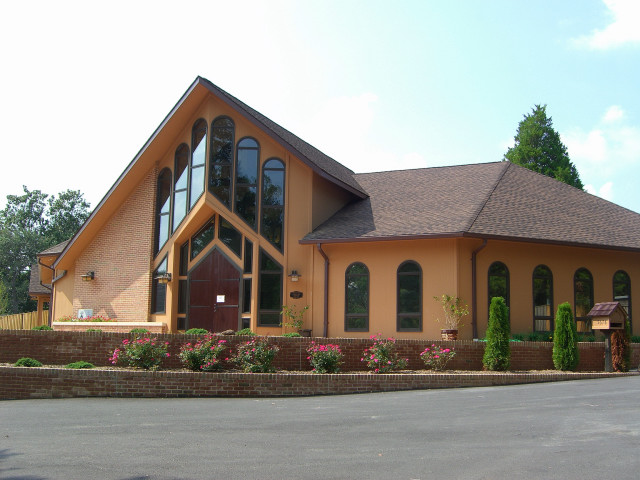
[60, 348]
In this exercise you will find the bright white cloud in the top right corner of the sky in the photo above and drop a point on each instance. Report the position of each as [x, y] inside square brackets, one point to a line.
[622, 30]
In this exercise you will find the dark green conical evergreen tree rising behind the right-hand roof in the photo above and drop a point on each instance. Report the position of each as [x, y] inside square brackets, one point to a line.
[538, 147]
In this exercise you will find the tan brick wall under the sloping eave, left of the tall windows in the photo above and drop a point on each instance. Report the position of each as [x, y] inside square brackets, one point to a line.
[120, 256]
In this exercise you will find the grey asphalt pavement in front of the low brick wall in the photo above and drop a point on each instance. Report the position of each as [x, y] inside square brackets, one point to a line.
[587, 429]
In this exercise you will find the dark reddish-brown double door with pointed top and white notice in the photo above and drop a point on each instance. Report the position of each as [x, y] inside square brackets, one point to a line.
[214, 293]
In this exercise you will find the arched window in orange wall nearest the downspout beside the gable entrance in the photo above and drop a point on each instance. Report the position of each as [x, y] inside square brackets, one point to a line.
[356, 298]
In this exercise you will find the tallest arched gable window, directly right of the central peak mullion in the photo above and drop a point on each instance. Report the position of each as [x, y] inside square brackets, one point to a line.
[221, 159]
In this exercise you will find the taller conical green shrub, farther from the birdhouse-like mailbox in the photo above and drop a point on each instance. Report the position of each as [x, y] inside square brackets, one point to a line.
[497, 352]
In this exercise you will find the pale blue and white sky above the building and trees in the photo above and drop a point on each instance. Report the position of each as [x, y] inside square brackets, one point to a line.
[377, 85]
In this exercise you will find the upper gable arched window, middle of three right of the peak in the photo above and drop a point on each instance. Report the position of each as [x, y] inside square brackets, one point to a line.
[246, 184]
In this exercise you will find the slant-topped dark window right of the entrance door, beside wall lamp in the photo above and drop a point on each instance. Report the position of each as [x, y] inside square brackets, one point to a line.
[270, 291]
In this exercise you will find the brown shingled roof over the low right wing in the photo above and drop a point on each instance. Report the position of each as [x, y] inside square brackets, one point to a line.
[497, 200]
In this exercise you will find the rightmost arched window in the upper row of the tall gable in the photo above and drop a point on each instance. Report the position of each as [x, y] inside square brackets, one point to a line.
[272, 225]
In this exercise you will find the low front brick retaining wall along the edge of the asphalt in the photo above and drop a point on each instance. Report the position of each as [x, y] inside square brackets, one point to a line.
[25, 383]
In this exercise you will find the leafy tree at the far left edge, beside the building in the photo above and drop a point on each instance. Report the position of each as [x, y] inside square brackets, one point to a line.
[31, 223]
